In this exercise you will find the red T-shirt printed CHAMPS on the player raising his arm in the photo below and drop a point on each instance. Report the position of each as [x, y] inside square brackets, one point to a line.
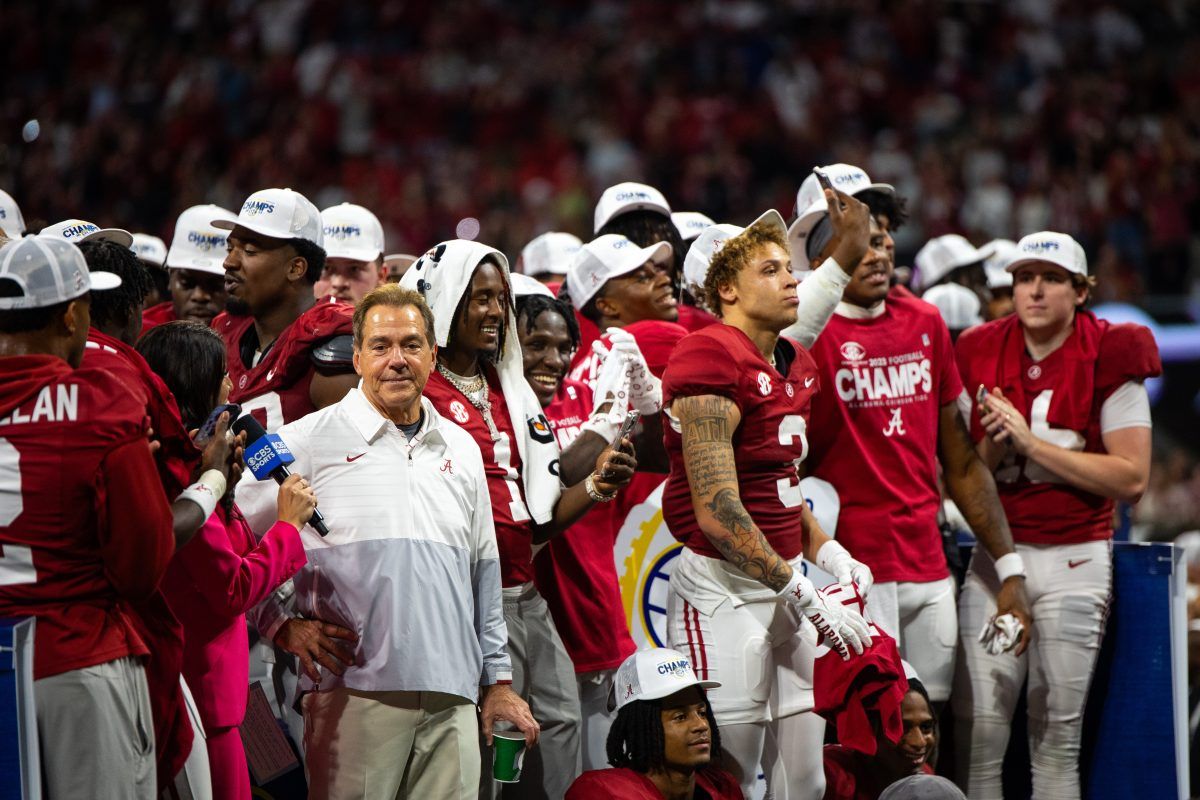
[874, 435]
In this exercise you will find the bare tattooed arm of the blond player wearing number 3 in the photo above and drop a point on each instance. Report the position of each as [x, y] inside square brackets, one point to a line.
[707, 424]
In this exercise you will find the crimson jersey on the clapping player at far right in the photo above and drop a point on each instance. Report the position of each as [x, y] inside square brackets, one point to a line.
[1061, 398]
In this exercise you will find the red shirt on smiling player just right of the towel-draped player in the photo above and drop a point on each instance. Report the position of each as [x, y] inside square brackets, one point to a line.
[575, 573]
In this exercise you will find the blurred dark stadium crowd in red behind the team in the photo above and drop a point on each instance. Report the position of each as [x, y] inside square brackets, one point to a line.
[508, 119]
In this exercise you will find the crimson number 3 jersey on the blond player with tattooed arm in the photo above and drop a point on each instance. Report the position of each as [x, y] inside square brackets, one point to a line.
[769, 446]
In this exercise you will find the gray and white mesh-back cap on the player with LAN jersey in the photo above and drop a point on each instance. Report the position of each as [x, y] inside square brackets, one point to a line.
[47, 272]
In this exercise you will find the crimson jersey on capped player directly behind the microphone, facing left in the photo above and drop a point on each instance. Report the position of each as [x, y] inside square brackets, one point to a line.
[277, 389]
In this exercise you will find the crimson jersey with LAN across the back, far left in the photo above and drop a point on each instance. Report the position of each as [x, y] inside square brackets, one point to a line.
[85, 524]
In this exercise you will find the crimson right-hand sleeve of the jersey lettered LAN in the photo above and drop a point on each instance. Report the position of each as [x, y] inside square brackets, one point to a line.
[136, 534]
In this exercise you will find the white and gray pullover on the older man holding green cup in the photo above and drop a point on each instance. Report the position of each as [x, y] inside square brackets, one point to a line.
[411, 561]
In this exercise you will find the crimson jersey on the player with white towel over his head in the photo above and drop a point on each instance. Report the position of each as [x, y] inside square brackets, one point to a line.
[502, 465]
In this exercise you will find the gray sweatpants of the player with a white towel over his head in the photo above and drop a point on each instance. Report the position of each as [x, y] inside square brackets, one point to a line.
[544, 676]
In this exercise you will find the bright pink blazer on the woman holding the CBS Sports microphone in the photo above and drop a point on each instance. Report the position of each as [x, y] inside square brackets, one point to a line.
[211, 586]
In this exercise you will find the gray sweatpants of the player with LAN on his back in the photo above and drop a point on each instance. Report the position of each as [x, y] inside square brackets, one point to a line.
[95, 733]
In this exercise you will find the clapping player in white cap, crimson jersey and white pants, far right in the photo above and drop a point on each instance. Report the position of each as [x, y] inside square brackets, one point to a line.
[1065, 426]
